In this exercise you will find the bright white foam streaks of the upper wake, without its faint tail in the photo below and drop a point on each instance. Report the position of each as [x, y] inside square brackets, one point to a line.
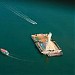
[20, 14]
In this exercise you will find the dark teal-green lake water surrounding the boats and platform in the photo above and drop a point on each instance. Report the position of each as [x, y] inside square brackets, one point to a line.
[15, 36]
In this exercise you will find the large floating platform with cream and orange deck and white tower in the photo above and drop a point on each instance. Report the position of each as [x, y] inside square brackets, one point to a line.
[46, 44]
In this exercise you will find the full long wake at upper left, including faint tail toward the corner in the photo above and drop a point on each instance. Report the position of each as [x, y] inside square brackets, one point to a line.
[19, 13]
